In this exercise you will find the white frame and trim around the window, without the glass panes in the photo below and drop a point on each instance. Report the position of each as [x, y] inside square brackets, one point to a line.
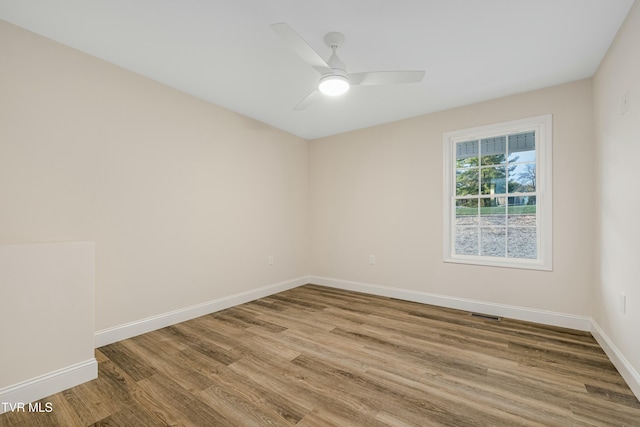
[544, 213]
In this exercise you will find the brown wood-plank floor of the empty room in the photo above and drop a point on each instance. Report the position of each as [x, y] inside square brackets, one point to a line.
[316, 356]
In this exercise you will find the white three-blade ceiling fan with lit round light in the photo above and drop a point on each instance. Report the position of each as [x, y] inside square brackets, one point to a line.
[334, 79]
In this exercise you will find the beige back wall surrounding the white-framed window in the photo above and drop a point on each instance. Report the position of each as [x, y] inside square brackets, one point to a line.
[379, 191]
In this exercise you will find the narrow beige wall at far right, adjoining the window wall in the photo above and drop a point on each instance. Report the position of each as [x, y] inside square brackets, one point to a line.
[618, 208]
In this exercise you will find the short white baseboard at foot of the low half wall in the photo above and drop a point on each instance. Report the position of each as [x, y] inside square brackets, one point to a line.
[48, 384]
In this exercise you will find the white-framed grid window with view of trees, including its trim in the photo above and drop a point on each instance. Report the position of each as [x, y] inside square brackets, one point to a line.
[497, 194]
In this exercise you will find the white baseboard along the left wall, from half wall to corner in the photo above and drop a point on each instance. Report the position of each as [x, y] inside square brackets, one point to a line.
[128, 330]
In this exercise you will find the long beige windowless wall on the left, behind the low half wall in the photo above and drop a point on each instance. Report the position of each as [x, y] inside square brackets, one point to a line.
[184, 200]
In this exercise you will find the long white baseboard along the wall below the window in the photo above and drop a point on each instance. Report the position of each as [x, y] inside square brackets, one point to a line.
[581, 323]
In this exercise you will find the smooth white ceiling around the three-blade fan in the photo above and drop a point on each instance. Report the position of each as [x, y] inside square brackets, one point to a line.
[225, 52]
